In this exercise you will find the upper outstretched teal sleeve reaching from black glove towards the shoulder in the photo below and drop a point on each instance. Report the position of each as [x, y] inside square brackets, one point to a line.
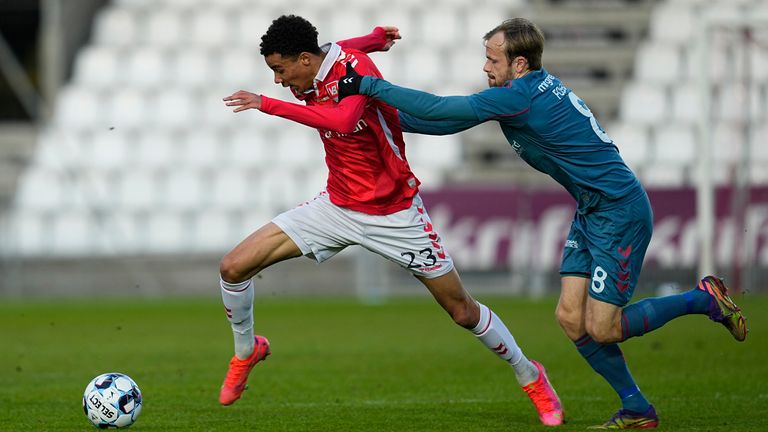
[418, 103]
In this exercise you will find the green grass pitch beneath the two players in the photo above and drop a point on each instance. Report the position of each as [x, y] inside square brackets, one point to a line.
[337, 365]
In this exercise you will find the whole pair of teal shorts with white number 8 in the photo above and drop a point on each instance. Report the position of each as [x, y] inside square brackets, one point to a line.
[608, 245]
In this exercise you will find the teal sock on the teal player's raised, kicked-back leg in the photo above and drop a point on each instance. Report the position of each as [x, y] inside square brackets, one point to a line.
[647, 315]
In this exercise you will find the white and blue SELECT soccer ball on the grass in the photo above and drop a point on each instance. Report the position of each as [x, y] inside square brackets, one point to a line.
[112, 400]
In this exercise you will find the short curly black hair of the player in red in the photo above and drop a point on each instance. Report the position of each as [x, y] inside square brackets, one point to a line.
[289, 36]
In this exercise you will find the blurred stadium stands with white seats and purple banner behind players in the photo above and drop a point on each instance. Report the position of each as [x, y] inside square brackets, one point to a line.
[123, 173]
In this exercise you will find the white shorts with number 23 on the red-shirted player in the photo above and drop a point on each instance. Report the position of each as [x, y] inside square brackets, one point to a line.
[322, 229]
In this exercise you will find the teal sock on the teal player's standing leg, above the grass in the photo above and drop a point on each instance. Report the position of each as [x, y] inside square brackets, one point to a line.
[608, 361]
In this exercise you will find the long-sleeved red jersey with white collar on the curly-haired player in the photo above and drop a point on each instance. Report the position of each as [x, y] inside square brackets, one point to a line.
[364, 147]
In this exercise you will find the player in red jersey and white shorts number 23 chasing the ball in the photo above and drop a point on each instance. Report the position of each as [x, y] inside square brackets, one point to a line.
[371, 199]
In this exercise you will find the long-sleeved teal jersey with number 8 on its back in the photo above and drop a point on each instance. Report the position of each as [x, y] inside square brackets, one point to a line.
[548, 126]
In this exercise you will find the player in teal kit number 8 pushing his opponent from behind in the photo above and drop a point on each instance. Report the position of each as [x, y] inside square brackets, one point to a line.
[554, 131]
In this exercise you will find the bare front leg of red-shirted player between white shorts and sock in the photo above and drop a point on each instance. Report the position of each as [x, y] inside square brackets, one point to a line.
[264, 247]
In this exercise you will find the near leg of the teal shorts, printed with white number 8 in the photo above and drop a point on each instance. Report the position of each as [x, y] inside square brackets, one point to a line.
[617, 240]
